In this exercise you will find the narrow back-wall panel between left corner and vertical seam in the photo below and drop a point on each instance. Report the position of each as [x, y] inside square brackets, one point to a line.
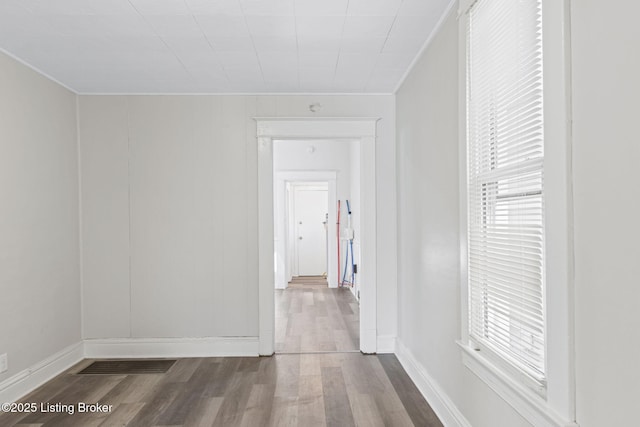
[105, 212]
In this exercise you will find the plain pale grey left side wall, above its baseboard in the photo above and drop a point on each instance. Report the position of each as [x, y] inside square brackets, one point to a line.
[39, 247]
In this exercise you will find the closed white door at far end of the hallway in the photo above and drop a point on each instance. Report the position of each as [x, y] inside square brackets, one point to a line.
[310, 207]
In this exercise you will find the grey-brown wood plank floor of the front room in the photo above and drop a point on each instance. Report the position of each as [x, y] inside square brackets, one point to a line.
[327, 389]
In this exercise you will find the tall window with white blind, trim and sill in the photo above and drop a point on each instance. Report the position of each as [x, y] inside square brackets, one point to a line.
[516, 204]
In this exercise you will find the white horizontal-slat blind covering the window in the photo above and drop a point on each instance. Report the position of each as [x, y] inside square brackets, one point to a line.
[505, 184]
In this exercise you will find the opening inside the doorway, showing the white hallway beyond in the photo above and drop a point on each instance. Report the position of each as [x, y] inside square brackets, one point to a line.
[315, 309]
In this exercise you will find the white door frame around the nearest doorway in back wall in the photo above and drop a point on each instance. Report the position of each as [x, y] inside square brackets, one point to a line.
[277, 128]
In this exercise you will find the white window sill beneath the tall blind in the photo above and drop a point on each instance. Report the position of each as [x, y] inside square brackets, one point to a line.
[526, 402]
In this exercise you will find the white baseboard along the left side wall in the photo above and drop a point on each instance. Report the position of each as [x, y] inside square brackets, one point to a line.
[22, 383]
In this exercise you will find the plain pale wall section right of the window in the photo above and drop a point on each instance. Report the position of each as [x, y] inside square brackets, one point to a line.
[606, 66]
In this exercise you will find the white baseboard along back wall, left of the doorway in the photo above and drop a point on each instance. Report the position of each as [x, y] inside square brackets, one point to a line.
[171, 347]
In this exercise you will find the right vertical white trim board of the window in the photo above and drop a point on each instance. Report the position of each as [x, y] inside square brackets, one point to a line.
[556, 39]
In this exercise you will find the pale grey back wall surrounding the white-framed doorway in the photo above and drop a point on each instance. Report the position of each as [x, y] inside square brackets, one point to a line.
[170, 234]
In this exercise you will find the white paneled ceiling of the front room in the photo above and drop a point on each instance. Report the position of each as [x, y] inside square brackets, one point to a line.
[220, 46]
